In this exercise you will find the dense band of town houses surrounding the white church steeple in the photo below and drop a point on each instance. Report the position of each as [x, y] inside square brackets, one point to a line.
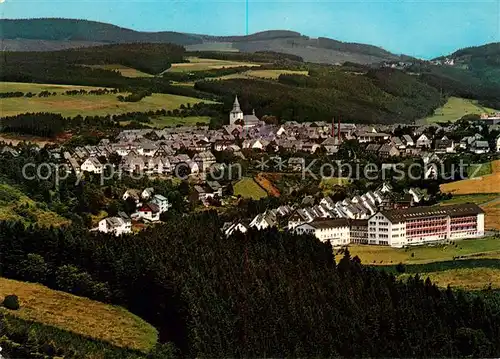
[160, 152]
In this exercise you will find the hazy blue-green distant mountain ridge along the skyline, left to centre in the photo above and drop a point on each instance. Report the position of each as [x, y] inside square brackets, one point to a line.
[57, 34]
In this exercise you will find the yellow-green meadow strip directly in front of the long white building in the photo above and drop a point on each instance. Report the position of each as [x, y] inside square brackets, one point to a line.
[378, 255]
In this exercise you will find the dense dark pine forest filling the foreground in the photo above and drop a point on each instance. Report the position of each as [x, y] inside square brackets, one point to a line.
[261, 294]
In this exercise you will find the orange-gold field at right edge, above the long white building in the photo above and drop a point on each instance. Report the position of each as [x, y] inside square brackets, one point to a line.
[484, 184]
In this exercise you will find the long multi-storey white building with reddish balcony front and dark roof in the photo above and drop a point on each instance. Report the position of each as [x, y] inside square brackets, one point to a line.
[420, 225]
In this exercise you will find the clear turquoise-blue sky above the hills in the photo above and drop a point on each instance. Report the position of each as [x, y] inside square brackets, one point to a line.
[420, 28]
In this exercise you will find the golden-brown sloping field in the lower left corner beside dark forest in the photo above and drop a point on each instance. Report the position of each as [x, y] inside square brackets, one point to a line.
[79, 315]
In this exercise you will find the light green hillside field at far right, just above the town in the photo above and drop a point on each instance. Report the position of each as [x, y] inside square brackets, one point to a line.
[456, 108]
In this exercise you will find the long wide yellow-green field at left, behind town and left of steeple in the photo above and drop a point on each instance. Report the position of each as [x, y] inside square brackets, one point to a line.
[90, 104]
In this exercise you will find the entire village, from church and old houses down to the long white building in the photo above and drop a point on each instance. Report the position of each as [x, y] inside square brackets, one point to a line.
[378, 216]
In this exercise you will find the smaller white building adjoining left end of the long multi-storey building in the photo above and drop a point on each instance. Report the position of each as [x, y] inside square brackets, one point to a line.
[335, 231]
